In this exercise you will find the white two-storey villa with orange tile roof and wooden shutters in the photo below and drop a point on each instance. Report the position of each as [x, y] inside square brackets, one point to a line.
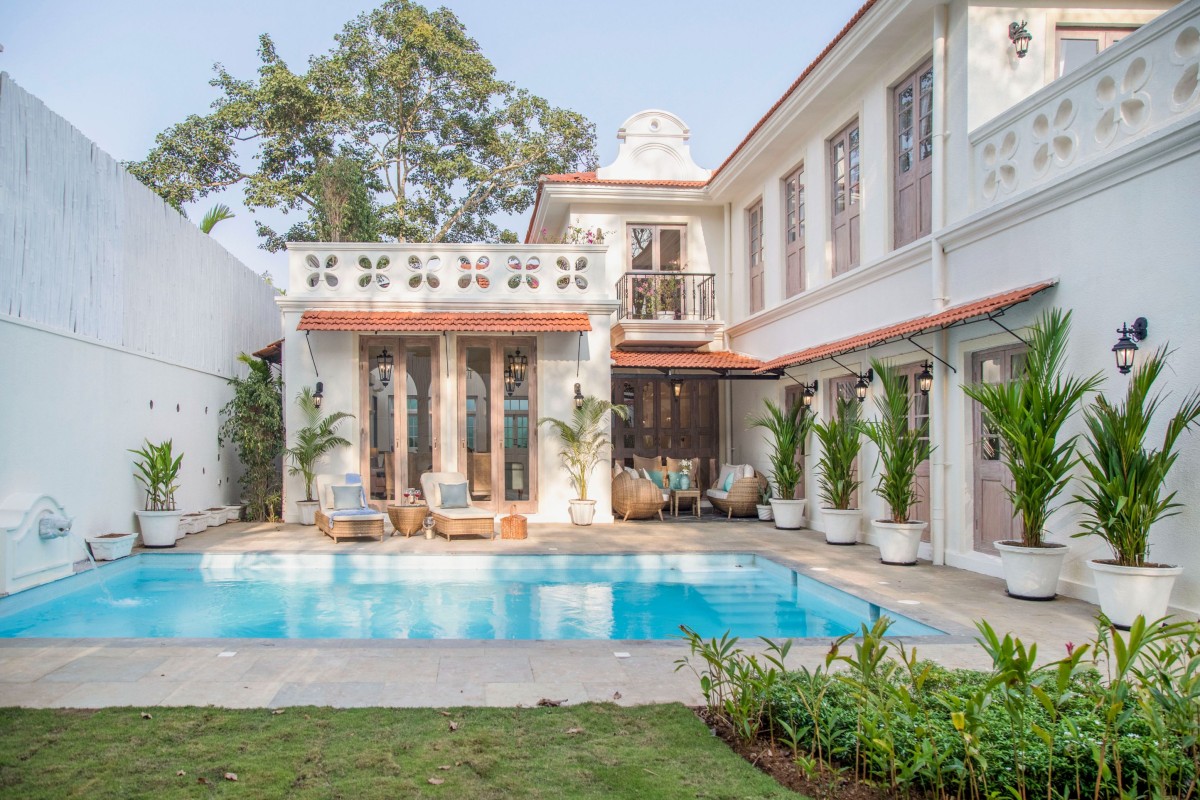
[934, 181]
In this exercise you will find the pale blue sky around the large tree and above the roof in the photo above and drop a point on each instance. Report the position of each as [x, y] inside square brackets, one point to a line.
[123, 71]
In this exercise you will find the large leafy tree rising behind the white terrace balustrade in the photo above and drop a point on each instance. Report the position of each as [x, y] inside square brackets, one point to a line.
[403, 131]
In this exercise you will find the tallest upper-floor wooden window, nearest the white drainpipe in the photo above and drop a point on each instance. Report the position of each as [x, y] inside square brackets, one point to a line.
[913, 104]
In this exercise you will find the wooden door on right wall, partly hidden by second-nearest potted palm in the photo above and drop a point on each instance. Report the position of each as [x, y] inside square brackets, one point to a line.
[994, 519]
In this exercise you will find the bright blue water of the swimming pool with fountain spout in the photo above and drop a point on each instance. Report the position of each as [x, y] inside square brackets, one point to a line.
[441, 598]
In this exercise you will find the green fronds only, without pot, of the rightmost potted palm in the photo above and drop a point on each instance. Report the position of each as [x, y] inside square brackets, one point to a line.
[1124, 495]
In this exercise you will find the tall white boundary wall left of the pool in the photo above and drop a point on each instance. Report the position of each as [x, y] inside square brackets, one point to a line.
[119, 322]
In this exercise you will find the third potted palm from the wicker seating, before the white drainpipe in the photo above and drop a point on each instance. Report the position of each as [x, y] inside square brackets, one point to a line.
[902, 450]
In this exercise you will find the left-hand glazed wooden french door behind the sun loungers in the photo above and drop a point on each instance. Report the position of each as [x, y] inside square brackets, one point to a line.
[400, 412]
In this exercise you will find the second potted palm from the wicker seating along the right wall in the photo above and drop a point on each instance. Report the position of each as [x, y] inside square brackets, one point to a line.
[841, 442]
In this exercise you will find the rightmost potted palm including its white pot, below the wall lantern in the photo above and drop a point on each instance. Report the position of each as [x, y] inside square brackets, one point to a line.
[1124, 495]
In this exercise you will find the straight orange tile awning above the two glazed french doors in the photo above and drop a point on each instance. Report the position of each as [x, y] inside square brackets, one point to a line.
[458, 322]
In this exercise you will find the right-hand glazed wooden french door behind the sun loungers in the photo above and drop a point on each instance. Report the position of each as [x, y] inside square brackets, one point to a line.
[497, 390]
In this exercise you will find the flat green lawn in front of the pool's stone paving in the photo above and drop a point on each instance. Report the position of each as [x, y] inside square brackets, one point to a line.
[585, 751]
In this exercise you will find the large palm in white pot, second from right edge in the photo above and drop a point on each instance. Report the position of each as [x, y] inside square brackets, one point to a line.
[1029, 413]
